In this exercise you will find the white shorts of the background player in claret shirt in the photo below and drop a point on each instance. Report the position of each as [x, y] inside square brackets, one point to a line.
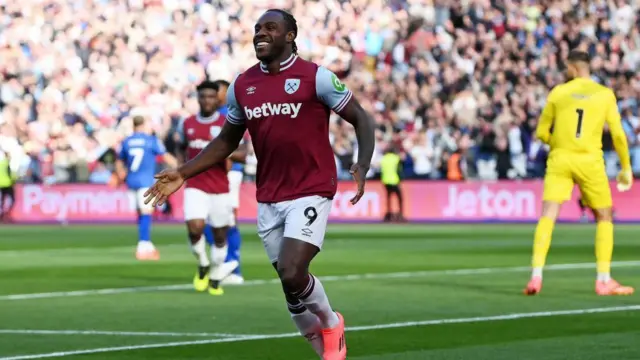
[215, 209]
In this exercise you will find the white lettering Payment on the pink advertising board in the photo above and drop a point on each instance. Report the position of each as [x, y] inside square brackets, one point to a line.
[69, 202]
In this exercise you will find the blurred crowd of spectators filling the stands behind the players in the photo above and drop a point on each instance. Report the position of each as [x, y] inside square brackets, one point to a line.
[455, 86]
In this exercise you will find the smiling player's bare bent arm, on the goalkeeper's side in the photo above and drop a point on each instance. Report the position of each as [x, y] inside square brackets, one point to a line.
[365, 133]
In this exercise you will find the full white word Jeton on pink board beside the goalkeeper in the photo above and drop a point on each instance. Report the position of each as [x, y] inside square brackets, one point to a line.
[487, 203]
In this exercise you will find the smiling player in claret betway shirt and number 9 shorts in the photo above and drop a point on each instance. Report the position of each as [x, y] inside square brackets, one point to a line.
[285, 103]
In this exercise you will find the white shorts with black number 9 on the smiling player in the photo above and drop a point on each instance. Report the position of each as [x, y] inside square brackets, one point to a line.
[304, 219]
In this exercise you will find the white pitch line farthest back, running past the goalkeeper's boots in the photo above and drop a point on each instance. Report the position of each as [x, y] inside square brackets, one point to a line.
[352, 277]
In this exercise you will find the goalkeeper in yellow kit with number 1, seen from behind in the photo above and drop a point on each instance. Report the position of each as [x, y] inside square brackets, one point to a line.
[578, 111]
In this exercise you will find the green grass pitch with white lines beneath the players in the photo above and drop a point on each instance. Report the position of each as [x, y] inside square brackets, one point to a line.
[408, 292]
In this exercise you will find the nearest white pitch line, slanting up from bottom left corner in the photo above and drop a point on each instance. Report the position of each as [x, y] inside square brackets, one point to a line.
[504, 317]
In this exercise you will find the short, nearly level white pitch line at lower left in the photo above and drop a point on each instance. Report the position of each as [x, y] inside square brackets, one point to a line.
[115, 333]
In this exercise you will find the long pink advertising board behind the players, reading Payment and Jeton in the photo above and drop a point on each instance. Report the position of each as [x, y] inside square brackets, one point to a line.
[425, 201]
